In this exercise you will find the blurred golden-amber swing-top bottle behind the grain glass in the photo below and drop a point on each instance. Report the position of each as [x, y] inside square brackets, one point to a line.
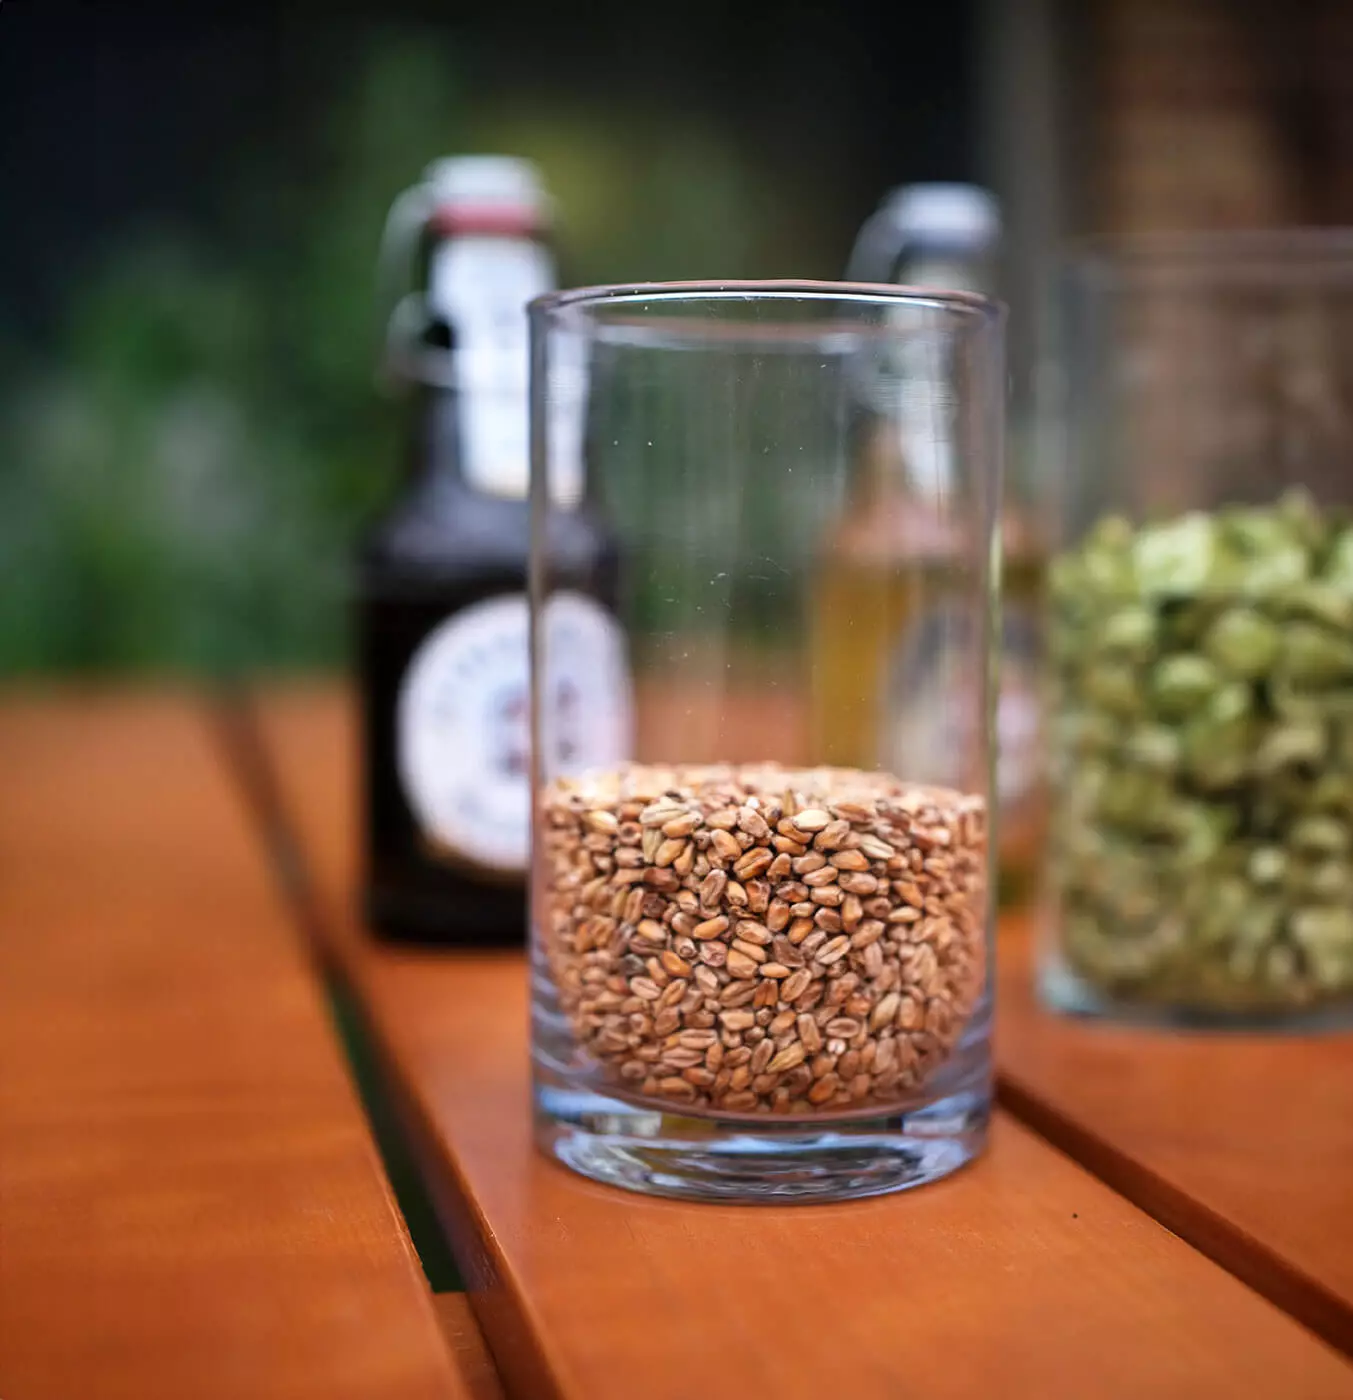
[887, 586]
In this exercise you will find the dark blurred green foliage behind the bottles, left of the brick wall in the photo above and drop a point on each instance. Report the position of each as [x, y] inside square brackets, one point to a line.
[194, 197]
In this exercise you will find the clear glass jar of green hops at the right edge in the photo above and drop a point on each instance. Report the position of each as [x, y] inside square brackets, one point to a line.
[1201, 633]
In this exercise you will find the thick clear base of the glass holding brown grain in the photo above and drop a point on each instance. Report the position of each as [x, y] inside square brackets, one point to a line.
[754, 1161]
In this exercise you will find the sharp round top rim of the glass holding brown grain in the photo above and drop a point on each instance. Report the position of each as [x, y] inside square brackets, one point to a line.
[970, 304]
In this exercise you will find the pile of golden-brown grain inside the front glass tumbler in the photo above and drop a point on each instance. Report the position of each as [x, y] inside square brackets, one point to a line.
[764, 940]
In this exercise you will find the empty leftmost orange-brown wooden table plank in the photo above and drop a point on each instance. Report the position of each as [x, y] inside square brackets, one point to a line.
[191, 1205]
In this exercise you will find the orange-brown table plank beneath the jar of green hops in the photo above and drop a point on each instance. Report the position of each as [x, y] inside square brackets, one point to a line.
[1240, 1143]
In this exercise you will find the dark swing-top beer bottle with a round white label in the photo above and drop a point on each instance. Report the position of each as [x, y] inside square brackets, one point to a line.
[442, 608]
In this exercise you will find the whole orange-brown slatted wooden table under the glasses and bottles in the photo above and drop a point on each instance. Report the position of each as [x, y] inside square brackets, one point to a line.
[191, 1203]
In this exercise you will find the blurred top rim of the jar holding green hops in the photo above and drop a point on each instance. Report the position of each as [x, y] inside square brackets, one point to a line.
[1212, 255]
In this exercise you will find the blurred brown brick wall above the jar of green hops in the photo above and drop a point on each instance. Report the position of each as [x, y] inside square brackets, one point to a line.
[1222, 114]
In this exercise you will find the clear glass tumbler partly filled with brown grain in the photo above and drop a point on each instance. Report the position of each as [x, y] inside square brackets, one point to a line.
[758, 974]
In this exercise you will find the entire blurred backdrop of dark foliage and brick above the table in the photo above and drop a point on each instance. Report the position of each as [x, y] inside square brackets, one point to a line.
[194, 197]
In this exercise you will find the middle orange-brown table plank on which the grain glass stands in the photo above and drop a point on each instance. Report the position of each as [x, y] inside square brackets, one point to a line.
[1022, 1276]
